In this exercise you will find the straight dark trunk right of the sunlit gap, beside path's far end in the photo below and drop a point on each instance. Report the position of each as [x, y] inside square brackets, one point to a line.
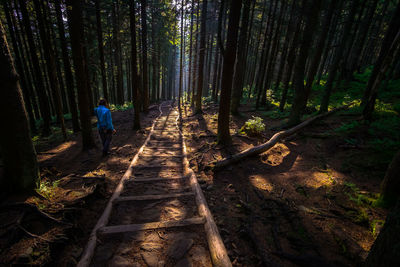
[200, 65]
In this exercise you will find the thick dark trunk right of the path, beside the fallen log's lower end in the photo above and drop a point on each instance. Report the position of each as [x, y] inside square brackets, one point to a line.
[224, 136]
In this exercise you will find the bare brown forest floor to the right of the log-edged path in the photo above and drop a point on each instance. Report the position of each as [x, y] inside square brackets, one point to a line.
[294, 205]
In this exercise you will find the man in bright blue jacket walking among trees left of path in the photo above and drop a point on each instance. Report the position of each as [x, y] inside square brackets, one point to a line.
[104, 124]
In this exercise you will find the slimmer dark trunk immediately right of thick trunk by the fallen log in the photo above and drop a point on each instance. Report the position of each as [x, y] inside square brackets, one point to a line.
[241, 61]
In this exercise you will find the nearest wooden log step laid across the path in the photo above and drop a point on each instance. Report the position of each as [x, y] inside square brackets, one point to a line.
[115, 229]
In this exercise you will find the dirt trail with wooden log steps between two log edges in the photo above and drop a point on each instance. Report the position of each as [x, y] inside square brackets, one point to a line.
[156, 219]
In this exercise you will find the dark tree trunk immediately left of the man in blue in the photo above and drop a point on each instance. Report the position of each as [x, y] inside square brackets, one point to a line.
[75, 21]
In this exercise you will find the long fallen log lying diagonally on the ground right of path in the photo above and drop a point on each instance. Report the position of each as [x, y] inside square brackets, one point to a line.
[253, 151]
